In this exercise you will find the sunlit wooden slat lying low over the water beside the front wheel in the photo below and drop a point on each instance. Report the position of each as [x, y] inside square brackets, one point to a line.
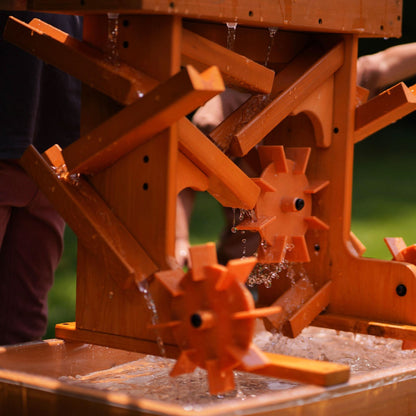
[302, 370]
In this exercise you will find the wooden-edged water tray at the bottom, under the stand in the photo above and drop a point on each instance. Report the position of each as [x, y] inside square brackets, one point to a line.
[55, 377]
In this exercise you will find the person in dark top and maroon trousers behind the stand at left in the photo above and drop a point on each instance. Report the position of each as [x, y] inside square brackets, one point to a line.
[39, 105]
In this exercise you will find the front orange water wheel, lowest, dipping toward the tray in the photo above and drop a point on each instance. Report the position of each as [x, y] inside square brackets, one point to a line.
[213, 317]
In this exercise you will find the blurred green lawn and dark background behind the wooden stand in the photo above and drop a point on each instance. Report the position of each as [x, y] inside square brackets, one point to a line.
[384, 195]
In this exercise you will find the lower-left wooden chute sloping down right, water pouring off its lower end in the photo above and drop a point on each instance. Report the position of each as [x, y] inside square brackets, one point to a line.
[92, 221]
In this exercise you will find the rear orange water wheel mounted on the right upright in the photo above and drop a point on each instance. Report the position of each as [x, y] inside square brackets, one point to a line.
[283, 212]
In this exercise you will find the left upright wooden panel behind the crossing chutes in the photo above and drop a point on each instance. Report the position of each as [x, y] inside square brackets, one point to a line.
[140, 187]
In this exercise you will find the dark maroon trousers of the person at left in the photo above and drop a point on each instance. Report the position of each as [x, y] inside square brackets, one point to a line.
[31, 245]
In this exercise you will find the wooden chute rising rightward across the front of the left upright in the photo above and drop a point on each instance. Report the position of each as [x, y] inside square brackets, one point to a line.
[139, 122]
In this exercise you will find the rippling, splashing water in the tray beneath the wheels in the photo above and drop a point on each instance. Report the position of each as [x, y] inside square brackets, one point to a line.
[149, 377]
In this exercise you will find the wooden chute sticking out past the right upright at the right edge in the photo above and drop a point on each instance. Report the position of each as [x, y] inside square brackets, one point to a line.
[384, 109]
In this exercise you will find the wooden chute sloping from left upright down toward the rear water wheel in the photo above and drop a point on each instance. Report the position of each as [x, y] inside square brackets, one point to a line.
[227, 183]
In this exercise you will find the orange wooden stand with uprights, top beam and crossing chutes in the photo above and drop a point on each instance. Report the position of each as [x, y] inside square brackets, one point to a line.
[135, 160]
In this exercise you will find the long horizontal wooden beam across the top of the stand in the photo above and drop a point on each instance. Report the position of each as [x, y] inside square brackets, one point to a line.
[363, 17]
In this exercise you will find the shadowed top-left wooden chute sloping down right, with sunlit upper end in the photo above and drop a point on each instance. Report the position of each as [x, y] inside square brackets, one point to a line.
[90, 65]
